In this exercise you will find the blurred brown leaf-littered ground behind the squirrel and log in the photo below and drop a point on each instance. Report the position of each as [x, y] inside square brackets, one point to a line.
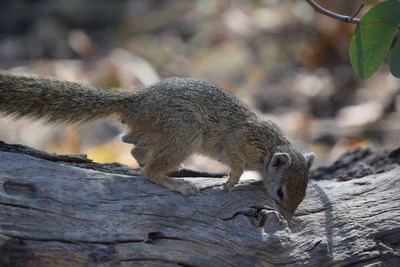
[285, 61]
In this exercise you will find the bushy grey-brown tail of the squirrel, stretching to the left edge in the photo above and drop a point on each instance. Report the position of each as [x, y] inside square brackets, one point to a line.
[56, 101]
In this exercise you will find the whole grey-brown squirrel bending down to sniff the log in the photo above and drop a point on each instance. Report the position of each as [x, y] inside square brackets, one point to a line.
[167, 122]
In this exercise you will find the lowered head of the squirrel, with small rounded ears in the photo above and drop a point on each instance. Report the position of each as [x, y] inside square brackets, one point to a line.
[286, 177]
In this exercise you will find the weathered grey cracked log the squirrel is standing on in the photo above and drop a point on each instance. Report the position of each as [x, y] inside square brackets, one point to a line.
[56, 214]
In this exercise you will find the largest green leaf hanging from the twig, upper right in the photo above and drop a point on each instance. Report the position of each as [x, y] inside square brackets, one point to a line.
[373, 36]
